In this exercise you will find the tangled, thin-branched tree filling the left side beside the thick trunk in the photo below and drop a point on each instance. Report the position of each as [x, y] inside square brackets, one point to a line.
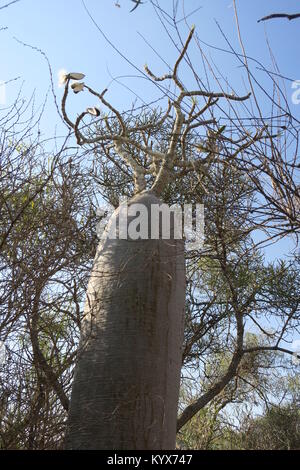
[46, 240]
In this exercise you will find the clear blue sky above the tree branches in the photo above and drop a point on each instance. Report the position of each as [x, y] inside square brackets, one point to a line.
[64, 31]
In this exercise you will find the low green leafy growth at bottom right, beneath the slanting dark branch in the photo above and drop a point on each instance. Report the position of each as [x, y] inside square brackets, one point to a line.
[276, 427]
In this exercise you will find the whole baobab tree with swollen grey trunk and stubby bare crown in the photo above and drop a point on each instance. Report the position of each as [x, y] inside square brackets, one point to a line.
[110, 391]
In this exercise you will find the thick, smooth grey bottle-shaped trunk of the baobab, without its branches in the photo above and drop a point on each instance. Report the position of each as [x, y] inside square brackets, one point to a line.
[126, 384]
